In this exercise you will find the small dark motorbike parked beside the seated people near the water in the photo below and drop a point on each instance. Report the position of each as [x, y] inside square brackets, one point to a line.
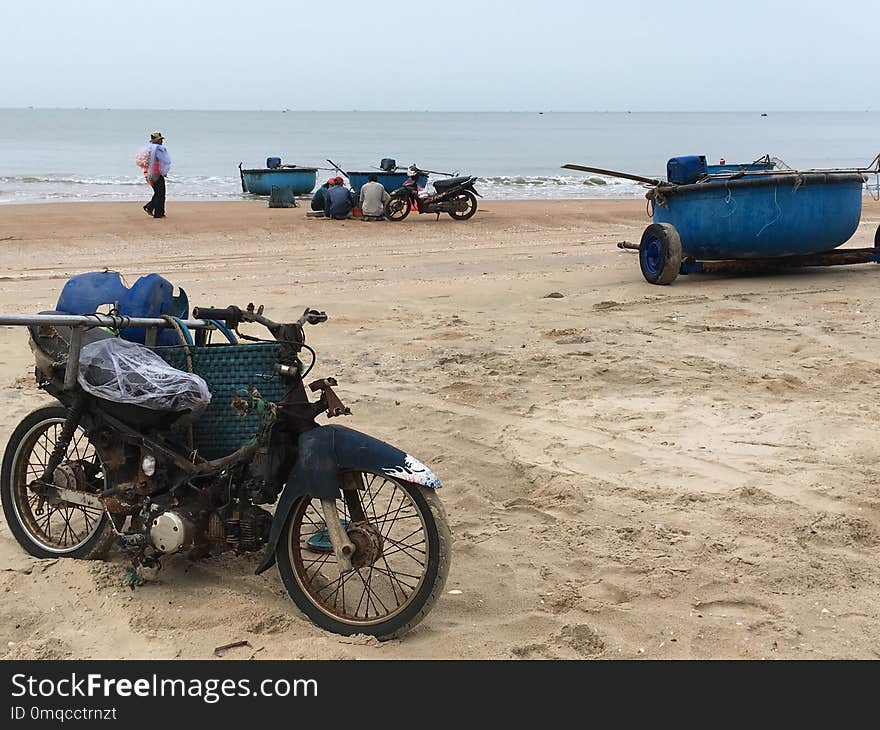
[456, 196]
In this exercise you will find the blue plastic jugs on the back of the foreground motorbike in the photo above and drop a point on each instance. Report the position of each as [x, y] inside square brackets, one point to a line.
[149, 296]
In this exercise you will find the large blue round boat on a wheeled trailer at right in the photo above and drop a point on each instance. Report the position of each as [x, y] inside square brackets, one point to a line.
[745, 212]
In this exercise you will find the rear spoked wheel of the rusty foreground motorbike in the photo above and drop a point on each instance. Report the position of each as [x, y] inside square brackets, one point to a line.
[44, 527]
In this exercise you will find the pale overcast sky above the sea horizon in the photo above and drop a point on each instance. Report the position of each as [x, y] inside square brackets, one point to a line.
[712, 55]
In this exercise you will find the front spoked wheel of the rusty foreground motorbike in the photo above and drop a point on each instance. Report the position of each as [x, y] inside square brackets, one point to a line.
[401, 558]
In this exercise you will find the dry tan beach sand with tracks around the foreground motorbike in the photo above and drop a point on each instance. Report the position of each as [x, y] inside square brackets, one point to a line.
[630, 471]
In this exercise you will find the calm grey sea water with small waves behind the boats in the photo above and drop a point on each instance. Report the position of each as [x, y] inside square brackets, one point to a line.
[51, 155]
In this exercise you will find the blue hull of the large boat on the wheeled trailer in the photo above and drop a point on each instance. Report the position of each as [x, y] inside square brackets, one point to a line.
[763, 217]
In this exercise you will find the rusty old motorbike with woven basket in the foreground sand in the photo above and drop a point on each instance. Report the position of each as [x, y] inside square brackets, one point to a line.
[358, 531]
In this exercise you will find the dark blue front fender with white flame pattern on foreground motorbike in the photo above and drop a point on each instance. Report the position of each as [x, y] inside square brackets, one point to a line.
[323, 453]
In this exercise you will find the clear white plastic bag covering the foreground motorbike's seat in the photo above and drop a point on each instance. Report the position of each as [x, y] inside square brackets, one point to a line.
[125, 372]
